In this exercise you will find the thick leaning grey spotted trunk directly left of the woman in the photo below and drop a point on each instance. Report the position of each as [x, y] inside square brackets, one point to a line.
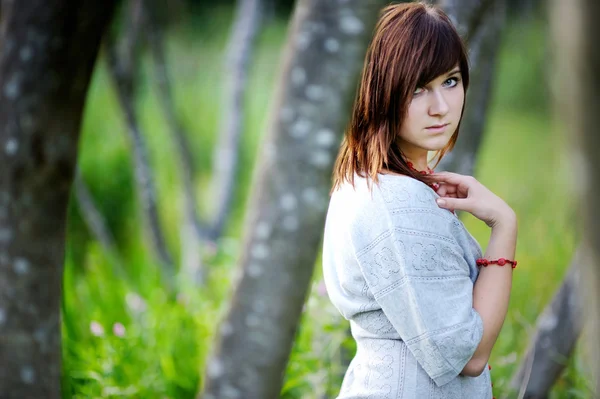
[324, 54]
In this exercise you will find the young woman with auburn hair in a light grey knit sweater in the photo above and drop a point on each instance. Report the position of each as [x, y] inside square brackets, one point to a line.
[397, 262]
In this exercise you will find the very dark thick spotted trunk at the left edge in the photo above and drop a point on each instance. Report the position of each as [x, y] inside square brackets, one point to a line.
[47, 53]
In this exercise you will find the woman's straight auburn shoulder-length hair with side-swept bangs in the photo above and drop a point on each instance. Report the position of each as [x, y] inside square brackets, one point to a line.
[413, 43]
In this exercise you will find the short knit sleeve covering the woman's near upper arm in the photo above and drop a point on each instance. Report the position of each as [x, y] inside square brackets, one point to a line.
[417, 272]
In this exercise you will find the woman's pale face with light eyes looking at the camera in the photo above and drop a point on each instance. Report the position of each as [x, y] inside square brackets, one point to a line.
[433, 115]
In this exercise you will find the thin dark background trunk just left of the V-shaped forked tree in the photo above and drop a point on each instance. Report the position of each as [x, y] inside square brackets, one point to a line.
[122, 64]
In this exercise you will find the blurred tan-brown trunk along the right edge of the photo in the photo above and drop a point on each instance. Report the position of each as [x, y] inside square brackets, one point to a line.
[574, 27]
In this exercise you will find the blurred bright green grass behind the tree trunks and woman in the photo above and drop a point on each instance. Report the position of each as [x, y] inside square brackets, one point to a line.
[167, 340]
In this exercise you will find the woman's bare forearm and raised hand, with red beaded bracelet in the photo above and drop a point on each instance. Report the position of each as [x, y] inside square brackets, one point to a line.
[491, 292]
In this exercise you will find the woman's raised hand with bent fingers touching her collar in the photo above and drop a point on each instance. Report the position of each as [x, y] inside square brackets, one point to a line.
[467, 194]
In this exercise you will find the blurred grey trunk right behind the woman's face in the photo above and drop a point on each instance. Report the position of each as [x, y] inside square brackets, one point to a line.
[481, 23]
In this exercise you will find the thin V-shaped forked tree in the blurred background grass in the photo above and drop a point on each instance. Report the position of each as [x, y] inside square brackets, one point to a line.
[239, 52]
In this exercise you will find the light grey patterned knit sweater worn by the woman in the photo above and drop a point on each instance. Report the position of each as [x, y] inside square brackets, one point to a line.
[401, 270]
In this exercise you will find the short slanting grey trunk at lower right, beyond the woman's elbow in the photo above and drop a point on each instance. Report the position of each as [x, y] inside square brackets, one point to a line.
[557, 331]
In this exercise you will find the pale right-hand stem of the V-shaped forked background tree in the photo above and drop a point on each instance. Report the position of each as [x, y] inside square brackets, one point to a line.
[226, 155]
